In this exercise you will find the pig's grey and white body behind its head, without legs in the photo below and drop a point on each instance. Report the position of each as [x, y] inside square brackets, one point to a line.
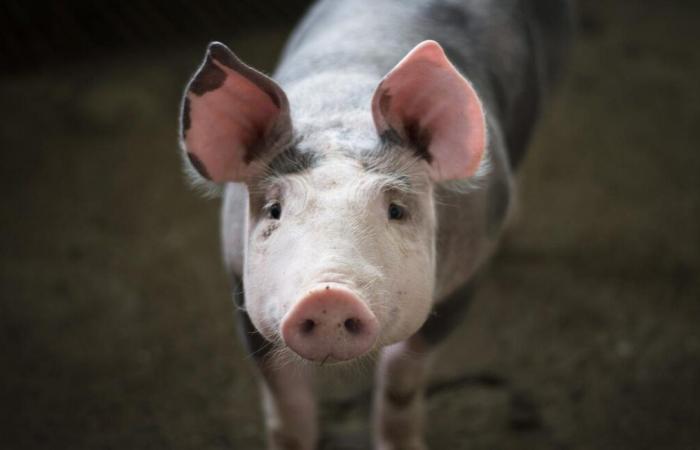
[340, 52]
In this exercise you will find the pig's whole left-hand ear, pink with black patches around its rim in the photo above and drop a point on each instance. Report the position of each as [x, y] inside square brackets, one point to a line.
[231, 115]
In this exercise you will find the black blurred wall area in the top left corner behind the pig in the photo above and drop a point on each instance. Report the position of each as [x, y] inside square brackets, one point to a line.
[40, 34]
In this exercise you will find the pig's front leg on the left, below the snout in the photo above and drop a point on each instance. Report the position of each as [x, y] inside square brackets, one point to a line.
[287, 394]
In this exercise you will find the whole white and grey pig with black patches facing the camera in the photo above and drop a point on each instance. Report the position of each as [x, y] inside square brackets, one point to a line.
[365, 184]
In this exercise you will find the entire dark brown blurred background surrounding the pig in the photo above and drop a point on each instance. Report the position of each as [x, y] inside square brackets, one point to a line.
[116, 325]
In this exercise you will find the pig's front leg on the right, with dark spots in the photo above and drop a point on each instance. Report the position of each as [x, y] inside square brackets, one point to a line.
[402, 374]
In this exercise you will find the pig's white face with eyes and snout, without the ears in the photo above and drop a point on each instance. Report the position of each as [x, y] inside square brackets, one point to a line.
[339, 227]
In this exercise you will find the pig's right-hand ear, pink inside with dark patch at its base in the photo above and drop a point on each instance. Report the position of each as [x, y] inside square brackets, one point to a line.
[435, 110]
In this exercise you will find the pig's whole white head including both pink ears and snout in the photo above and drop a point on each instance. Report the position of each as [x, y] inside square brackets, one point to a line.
[340, 241]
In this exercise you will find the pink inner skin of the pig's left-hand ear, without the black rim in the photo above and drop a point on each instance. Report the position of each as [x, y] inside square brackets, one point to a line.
[229, 124]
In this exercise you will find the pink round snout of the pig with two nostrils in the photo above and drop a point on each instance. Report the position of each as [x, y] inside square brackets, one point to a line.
[328, 325]
